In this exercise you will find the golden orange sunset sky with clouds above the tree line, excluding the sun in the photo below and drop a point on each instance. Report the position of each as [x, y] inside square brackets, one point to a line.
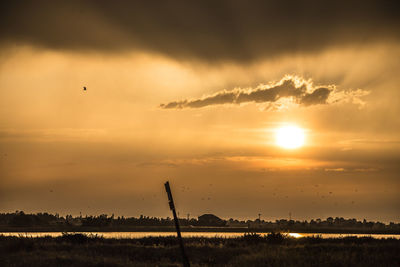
[194, 92]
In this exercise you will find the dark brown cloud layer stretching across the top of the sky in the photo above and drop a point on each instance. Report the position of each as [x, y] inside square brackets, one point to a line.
[206, 30]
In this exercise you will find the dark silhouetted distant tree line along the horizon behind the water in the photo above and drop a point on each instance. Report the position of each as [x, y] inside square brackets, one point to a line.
[21, 219]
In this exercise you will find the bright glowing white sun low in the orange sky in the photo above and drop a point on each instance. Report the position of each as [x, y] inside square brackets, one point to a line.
[290, 137]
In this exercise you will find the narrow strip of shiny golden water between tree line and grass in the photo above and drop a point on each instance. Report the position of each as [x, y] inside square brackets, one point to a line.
[190, 234]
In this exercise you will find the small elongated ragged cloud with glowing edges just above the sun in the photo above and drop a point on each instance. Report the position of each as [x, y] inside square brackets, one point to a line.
[298, 90]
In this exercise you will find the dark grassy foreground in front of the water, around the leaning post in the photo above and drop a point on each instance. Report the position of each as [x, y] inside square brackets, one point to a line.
[249, 250]
